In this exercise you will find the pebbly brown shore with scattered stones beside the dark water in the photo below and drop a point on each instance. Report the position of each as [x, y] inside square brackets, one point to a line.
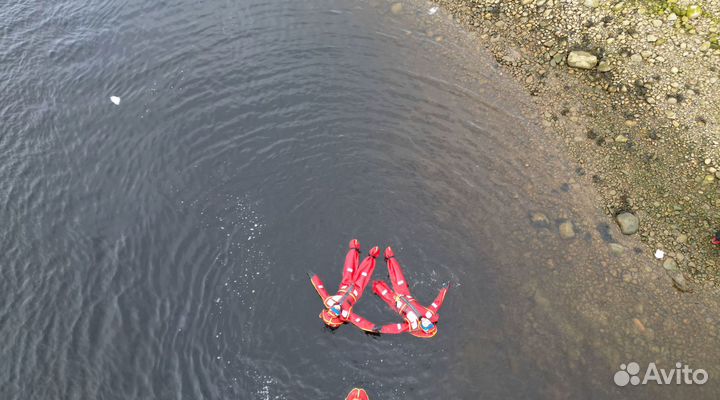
[633, 90]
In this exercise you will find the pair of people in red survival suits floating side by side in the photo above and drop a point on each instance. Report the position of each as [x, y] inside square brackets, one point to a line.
[419, 321]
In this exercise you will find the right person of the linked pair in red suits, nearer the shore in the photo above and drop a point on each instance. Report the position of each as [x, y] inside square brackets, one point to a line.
[419, 321]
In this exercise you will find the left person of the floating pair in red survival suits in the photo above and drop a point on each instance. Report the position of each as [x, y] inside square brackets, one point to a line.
[338, 308]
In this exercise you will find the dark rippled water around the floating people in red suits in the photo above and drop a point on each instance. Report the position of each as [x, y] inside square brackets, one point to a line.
[158, 248]
